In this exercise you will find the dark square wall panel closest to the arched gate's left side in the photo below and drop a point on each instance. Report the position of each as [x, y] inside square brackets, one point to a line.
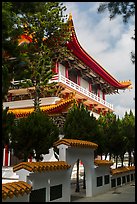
[55, 192]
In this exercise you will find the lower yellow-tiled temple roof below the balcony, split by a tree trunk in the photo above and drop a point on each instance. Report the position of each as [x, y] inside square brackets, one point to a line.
[62, 105]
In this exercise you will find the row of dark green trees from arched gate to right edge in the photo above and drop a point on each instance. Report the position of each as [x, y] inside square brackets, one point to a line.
[117, 136]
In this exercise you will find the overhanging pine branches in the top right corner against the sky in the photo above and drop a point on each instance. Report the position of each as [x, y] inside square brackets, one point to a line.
[124, 9]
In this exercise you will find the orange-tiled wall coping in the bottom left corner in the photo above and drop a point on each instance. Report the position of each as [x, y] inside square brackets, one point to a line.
[15, 189]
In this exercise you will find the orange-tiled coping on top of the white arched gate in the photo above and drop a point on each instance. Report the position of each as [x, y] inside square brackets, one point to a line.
[76, 143]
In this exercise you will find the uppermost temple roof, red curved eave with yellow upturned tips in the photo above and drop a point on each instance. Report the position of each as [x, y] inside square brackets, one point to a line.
[76, 49]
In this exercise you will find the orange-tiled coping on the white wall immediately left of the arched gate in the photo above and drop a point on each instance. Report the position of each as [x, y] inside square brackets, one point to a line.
[41, 166]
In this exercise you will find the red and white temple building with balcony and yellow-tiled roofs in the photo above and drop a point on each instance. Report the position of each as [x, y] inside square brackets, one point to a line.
[80, 77]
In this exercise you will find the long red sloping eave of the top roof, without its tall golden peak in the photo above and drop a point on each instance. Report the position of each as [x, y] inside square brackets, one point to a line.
[79, 52]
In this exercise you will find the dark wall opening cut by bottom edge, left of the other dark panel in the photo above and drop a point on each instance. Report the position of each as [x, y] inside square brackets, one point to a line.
[38, 195]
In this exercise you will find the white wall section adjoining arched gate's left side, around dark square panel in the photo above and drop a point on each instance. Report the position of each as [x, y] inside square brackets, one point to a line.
[49, 179]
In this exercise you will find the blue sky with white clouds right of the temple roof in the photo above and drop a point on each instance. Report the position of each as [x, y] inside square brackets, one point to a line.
[110, 44]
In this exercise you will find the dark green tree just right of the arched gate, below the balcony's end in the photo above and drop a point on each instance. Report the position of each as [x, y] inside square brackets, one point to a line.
[111, 138]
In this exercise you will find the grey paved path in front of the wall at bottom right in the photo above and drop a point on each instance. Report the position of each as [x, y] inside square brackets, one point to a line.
[125, 193]
